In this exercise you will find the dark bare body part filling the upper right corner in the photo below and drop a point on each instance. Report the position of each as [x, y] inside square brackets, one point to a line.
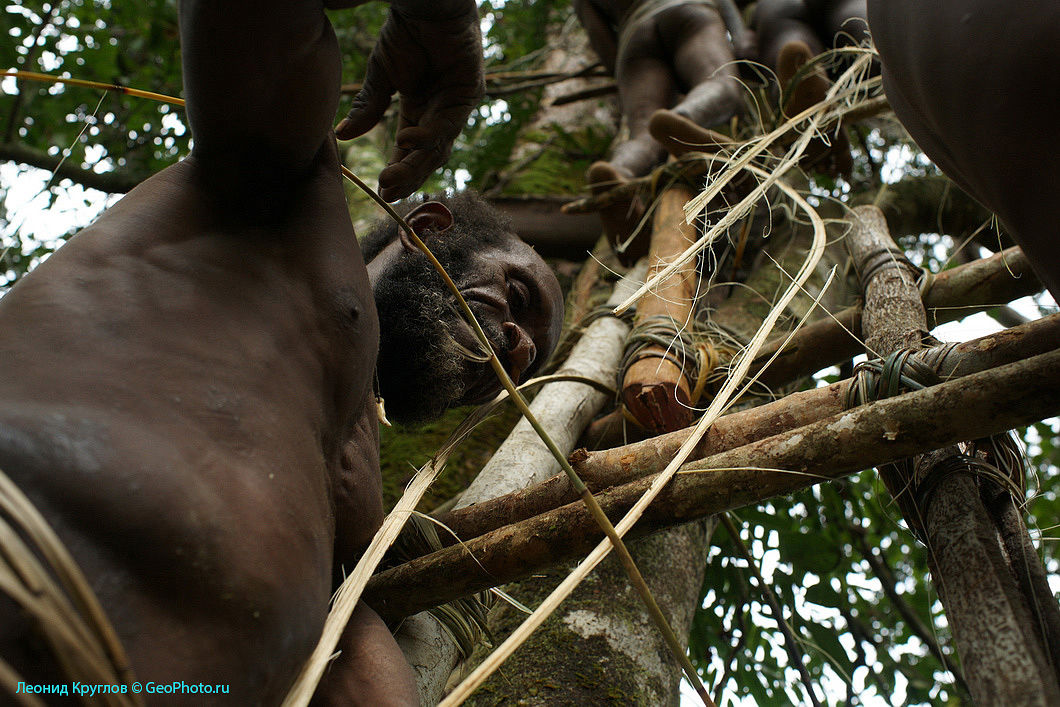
[968, 80]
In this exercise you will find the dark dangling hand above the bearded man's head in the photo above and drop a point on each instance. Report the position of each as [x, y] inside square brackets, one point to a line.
[436, 66]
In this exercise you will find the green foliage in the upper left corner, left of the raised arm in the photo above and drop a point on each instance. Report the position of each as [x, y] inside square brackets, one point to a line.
[128, 44]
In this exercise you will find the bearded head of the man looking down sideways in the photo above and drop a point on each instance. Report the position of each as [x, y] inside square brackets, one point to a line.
[511, 291]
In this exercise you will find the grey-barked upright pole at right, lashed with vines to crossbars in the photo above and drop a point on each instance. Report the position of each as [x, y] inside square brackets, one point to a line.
[995, 628]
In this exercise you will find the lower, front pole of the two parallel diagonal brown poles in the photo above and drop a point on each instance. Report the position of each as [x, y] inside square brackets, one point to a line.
[991, 402]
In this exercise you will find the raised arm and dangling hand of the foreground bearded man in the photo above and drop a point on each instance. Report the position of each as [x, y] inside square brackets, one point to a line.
[262, 83]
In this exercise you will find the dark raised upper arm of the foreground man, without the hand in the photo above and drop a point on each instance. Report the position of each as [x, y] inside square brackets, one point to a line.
[261, 82]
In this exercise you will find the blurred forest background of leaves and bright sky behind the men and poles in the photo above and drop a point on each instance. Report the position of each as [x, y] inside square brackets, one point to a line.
[853, 582]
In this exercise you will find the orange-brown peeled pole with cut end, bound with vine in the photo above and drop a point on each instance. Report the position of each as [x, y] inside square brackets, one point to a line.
[656, 390]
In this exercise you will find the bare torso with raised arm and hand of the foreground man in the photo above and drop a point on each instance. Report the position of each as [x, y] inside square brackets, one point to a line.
[188, 383]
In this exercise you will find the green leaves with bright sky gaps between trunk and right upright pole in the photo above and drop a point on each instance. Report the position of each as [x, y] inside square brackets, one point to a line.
[812, 551]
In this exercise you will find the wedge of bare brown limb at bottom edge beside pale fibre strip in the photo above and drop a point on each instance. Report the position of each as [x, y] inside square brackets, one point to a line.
[370, 670]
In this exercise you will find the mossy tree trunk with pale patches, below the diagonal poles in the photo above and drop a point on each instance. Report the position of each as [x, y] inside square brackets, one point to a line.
[600, 647]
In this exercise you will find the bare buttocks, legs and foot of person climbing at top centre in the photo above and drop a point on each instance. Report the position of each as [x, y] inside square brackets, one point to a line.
[676, 67]
